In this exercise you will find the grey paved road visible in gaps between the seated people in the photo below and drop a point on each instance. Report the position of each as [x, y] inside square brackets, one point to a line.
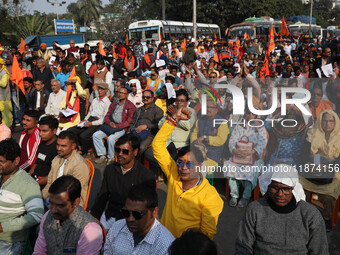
[228, 221]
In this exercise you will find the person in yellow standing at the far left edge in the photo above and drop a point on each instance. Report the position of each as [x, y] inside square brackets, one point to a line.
[5, 95]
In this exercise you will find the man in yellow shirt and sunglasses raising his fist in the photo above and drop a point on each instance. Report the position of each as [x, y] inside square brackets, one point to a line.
[191, 201]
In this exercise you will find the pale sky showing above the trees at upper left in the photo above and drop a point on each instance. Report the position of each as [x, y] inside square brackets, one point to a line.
[44, 6]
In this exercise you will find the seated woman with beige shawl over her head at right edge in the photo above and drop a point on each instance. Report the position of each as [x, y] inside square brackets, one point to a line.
[322, 149]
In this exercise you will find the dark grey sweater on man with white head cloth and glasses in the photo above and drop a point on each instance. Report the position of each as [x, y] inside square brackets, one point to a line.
[264, 231]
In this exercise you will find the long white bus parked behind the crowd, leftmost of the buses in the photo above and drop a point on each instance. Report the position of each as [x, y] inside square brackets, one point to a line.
[152, 29]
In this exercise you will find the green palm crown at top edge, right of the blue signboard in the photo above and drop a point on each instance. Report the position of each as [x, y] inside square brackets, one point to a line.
[89, 10]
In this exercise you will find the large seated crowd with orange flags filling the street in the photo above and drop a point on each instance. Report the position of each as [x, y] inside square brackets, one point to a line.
[140, 110]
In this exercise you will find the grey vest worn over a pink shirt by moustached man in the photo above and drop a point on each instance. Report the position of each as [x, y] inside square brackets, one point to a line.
[64, 240]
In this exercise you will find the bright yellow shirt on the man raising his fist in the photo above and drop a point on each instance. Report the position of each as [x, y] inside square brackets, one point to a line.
[198, 207]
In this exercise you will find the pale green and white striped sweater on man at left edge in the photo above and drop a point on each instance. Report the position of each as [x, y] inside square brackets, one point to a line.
[21, 206]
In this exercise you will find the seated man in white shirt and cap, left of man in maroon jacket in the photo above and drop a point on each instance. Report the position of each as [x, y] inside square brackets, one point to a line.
[95, 117]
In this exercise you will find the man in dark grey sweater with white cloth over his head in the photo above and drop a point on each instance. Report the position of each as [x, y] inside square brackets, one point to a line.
[282, 222]
